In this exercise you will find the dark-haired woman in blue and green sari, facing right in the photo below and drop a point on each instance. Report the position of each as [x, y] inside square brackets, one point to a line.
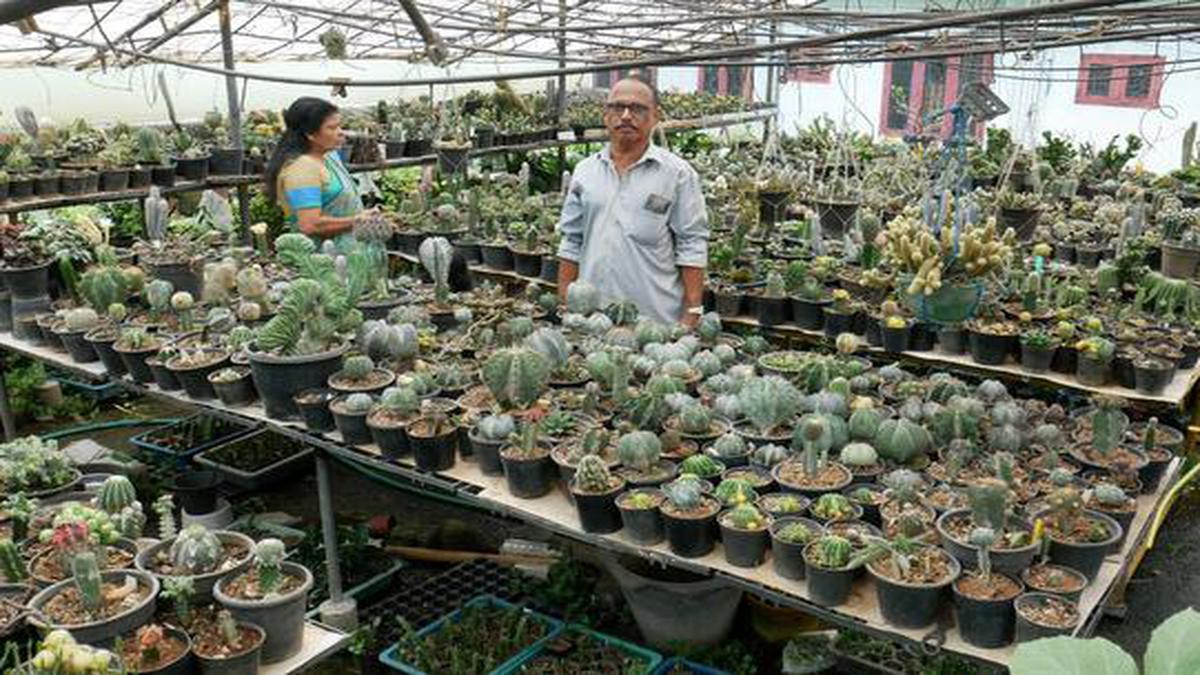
[307, 177]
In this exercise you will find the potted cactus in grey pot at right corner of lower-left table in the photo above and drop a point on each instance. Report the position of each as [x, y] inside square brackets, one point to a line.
[271, 593]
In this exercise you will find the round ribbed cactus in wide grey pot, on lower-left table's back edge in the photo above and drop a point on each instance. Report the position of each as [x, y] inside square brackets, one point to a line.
[197, 554]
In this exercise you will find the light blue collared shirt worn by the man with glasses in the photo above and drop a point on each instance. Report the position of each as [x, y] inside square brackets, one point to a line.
[631, 234]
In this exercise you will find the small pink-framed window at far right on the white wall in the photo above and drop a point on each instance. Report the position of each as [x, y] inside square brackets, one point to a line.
[1126, 81]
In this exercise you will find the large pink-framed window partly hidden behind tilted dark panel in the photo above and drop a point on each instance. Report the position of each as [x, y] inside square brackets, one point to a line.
[916, 93]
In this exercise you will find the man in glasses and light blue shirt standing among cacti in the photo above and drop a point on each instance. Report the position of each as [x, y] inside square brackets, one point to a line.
[634, 223]
